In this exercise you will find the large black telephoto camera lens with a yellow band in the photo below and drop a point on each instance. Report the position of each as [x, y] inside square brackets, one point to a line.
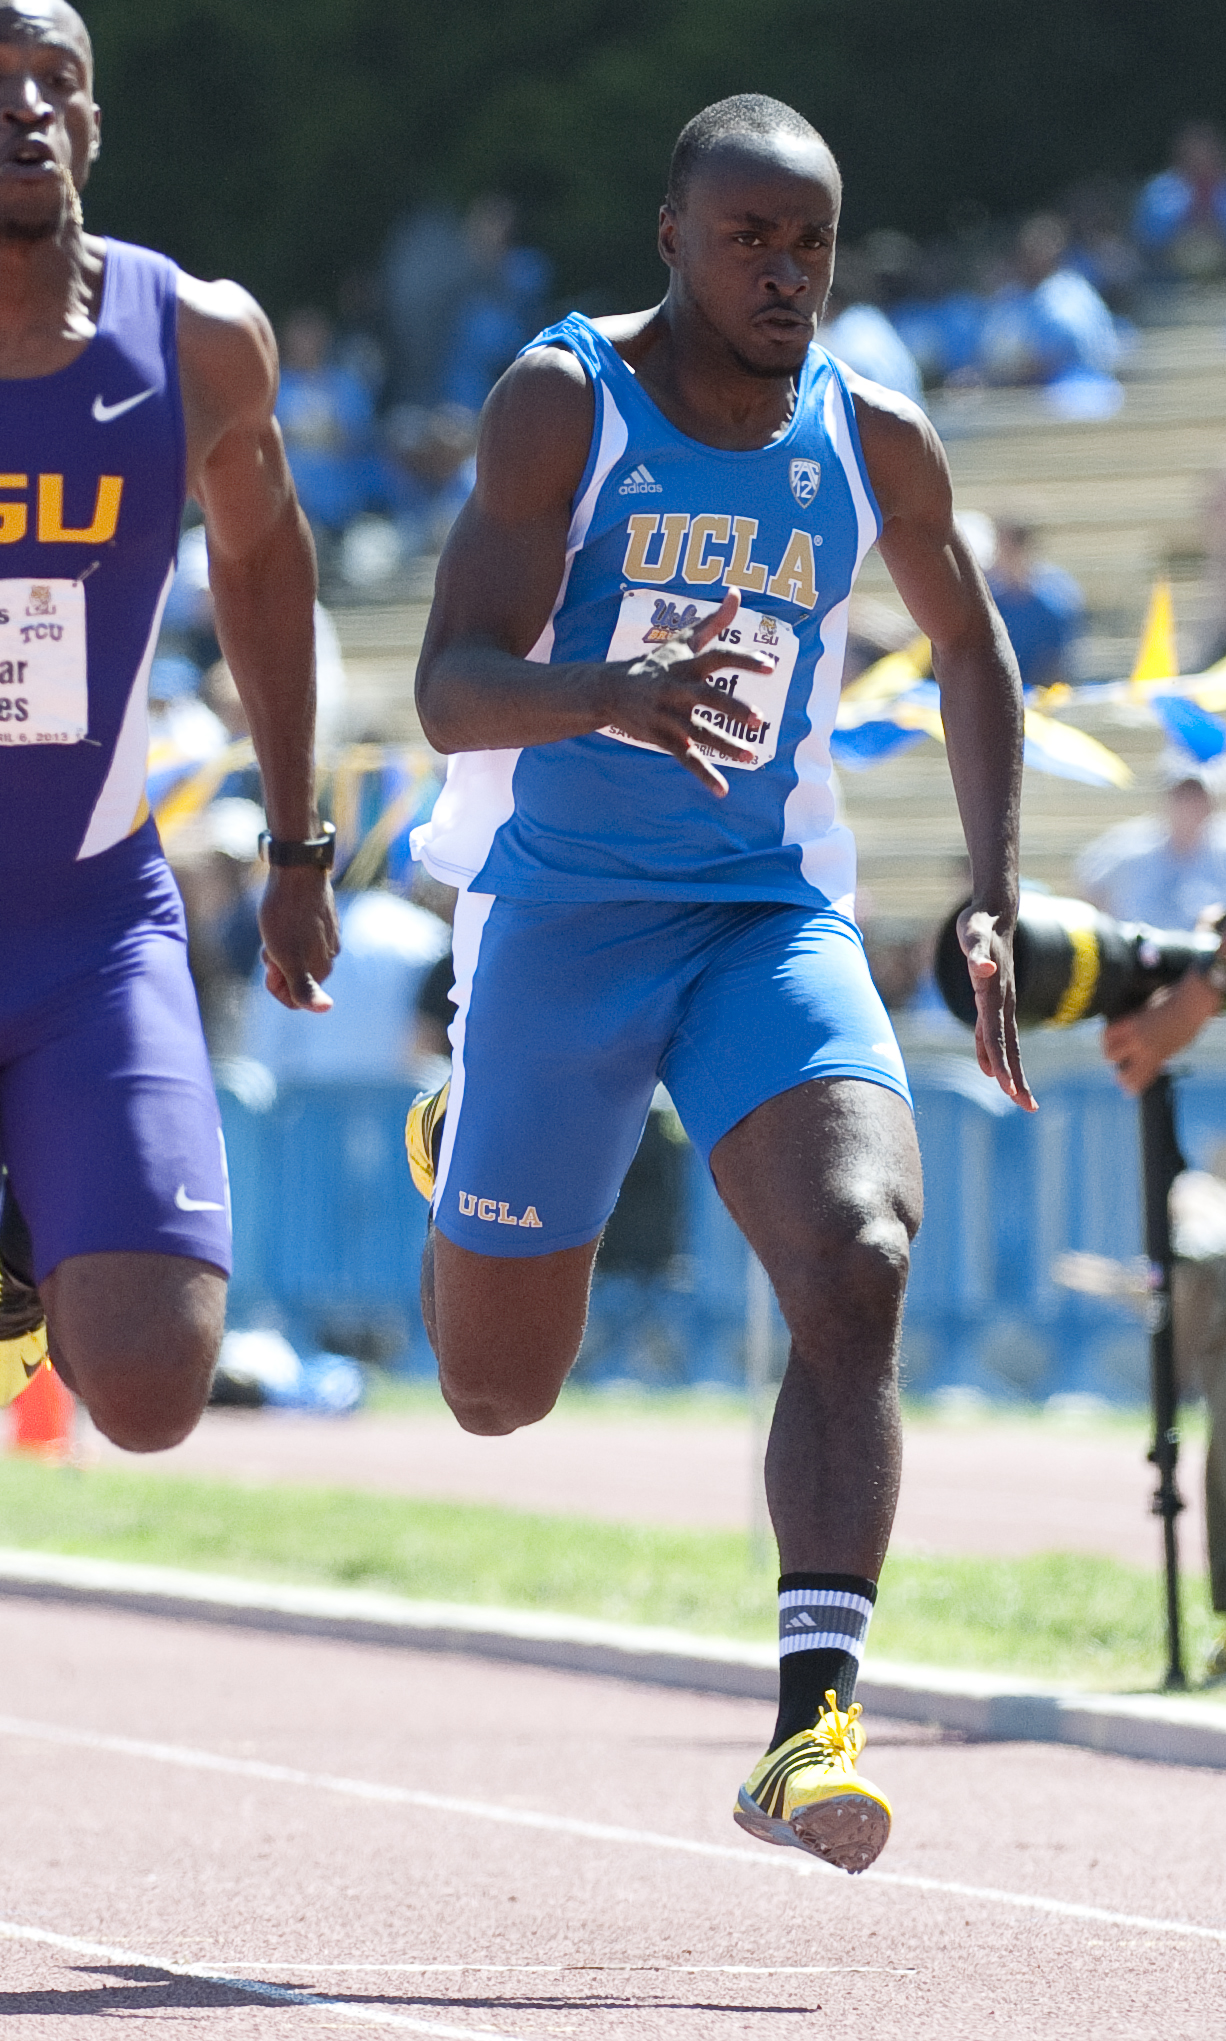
[1072, 962]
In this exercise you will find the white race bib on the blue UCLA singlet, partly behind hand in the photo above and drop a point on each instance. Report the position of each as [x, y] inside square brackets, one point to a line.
[648, 619]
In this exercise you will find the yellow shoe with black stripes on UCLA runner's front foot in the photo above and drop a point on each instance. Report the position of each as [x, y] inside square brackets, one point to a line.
[809, 1793]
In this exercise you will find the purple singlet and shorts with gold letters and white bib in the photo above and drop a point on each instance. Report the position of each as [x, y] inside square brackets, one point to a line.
[109, 1124]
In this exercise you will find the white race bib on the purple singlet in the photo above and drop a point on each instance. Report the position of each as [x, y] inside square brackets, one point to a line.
[44, 670]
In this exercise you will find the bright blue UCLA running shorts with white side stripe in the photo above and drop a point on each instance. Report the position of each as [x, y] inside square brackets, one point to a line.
[568, 1017]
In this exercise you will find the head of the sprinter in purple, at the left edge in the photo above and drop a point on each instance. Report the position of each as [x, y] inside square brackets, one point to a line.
[48, 115]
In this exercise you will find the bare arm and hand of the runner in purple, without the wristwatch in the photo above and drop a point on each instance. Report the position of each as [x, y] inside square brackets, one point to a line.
[262, 573]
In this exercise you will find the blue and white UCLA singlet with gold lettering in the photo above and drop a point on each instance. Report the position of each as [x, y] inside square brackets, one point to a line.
[662, 528]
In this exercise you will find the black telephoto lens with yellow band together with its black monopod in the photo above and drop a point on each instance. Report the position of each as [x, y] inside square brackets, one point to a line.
[1070, 964]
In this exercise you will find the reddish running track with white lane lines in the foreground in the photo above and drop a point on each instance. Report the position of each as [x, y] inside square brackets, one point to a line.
[352, 1840]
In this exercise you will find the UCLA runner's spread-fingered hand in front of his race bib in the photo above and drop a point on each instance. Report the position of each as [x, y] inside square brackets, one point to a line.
[654, 699]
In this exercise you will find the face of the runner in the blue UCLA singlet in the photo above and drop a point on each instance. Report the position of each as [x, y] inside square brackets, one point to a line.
[752, 248]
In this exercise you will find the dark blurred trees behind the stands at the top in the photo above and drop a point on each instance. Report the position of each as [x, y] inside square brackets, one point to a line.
[278, 142]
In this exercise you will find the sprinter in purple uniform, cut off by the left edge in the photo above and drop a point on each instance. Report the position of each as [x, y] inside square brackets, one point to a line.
[123, 387]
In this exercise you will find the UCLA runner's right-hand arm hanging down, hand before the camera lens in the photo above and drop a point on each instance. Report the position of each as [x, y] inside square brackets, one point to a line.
[980, 699]
